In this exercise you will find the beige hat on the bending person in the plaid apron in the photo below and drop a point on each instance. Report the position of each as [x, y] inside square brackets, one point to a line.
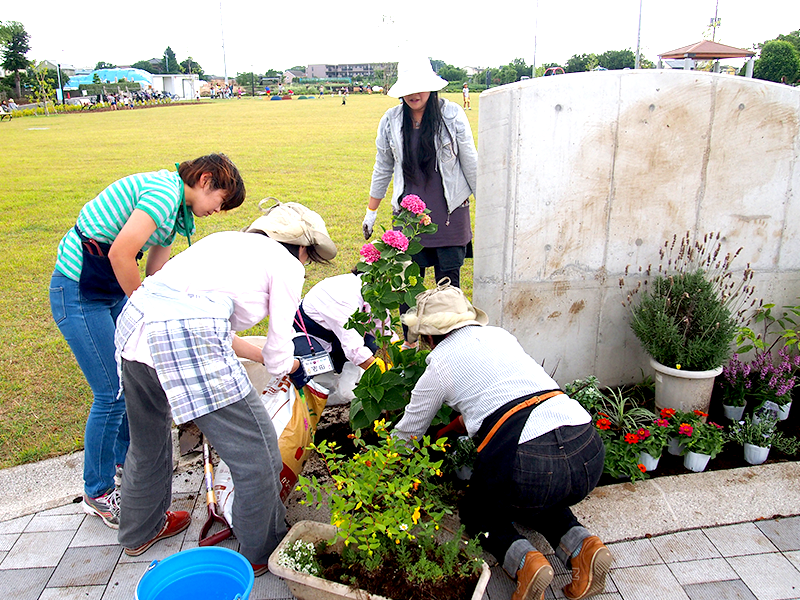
[293, 223]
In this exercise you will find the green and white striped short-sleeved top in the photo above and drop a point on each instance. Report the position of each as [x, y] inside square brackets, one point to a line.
[158, 194]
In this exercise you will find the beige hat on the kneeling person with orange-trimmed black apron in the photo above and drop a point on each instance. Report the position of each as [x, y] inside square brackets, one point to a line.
[441, 310]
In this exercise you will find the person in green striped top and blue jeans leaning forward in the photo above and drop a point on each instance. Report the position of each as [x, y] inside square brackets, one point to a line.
[97, 269]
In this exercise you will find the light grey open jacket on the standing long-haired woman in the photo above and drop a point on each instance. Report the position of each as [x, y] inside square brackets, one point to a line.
[456, 156]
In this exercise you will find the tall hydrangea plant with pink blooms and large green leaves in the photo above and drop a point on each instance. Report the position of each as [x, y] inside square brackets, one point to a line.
[389, 278]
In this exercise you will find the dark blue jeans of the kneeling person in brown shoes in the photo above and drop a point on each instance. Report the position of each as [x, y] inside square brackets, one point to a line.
[550, 474]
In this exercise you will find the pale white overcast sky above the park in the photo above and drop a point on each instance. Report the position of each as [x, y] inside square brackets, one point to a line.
[227, 37]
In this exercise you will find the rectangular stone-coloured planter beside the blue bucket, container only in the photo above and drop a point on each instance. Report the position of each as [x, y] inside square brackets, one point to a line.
[309, 587]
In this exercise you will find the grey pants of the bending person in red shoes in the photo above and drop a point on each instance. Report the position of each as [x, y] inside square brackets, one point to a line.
[242, 435]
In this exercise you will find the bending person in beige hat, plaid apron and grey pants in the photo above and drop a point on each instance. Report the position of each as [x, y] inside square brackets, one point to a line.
[177, 352]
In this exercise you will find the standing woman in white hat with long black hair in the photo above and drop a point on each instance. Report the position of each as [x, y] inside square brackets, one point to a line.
[425, 143]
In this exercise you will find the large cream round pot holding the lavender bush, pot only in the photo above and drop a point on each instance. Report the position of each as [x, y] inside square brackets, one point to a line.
[683, 390]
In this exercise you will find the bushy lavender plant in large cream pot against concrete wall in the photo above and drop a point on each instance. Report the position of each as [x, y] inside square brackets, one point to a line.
[687, 317]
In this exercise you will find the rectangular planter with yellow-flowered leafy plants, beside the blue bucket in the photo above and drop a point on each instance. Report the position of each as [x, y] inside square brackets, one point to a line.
[385, 529]
